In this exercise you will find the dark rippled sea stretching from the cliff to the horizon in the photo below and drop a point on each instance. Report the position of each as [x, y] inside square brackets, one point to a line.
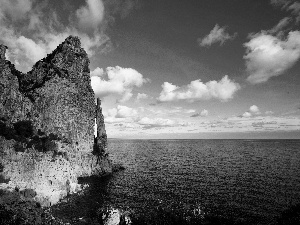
[244, 181]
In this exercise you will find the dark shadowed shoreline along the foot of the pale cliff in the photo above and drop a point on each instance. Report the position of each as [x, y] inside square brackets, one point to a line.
[16, 205]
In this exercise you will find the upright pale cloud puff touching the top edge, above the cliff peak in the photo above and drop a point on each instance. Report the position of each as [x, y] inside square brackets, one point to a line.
[91, 15]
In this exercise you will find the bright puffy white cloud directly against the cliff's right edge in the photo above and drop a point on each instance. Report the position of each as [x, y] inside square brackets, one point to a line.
[116, 81]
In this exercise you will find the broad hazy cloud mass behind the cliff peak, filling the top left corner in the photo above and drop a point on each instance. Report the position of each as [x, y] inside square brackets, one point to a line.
[31, 30]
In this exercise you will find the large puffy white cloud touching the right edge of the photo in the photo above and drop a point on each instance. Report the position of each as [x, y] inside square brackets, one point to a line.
[268, 56]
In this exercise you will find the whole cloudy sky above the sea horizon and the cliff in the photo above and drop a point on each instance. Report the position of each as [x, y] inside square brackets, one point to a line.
[173, 68]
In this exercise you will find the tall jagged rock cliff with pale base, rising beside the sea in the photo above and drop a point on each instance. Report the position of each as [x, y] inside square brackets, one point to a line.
[47, 121]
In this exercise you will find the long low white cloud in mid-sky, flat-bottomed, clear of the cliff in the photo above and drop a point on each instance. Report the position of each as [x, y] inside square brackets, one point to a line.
[197, 90]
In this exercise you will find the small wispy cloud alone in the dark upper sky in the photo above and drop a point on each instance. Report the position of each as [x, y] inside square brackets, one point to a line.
[217, 34]
